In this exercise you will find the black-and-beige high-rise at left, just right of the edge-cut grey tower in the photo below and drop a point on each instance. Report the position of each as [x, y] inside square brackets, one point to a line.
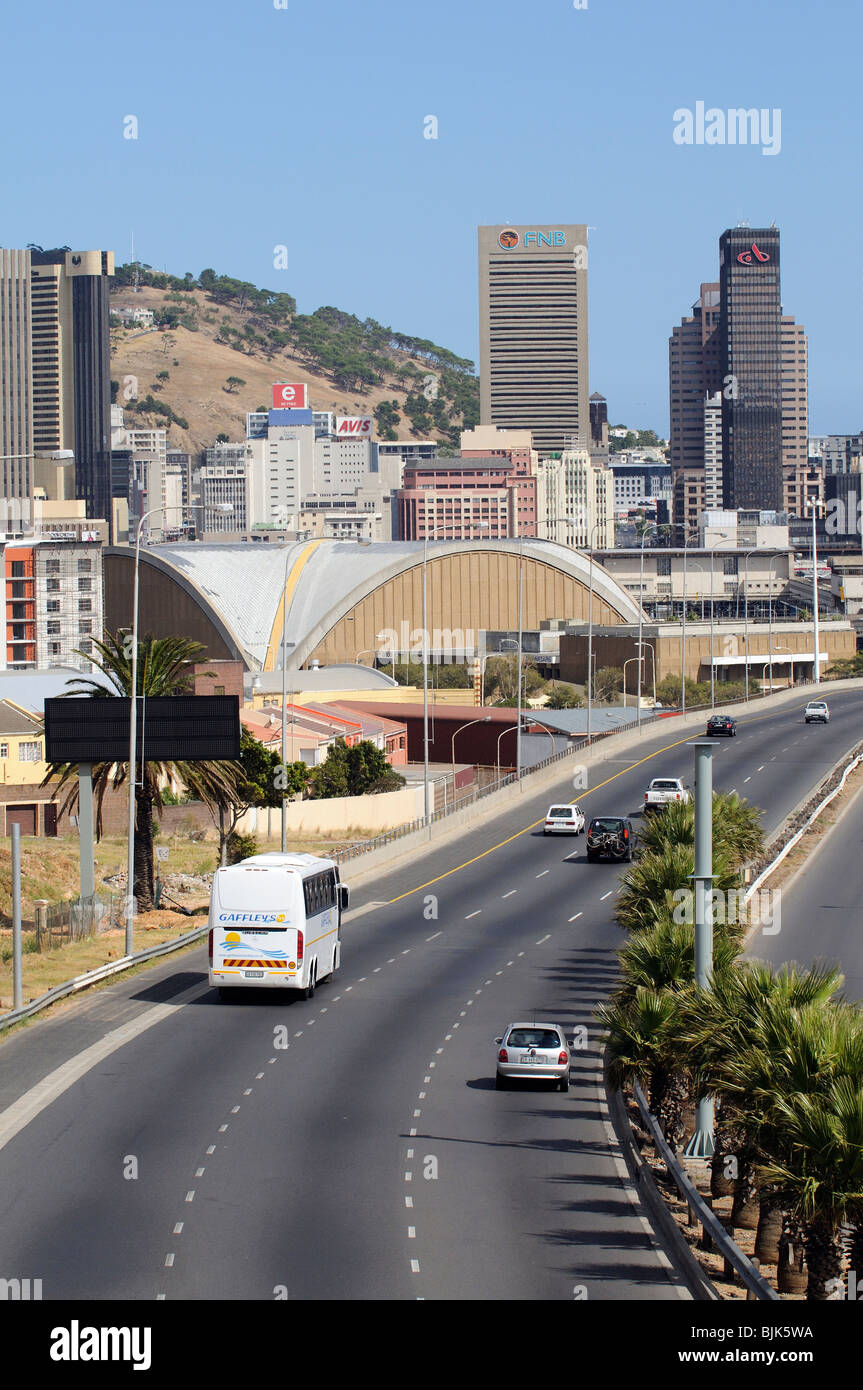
[72, 369]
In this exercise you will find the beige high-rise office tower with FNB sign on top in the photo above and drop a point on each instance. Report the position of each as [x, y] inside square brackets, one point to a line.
[534, 333]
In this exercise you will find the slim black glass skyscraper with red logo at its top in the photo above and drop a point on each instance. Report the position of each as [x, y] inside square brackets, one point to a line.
[751, 363]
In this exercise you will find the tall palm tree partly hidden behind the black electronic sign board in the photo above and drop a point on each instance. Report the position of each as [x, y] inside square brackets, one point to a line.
[165, 668]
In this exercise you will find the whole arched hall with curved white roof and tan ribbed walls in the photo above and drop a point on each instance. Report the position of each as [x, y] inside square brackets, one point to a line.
[338, 597]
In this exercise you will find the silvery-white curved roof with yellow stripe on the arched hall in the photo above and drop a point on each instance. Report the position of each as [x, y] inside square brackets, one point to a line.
[323, 580]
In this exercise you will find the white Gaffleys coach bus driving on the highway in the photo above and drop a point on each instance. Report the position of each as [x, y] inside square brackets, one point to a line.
[276, 924]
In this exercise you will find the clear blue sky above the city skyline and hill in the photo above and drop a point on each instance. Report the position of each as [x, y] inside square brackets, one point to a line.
[304, 127]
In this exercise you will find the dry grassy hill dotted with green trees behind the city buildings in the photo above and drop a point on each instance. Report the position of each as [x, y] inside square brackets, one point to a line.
[220, 344]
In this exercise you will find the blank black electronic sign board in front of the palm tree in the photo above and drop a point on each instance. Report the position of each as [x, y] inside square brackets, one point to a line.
[170, 728]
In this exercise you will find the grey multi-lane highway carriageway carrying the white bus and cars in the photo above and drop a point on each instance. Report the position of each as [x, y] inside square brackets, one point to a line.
[186, 1153]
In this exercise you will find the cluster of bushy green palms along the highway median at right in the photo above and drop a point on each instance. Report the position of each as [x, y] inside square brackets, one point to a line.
[780, 1050]
